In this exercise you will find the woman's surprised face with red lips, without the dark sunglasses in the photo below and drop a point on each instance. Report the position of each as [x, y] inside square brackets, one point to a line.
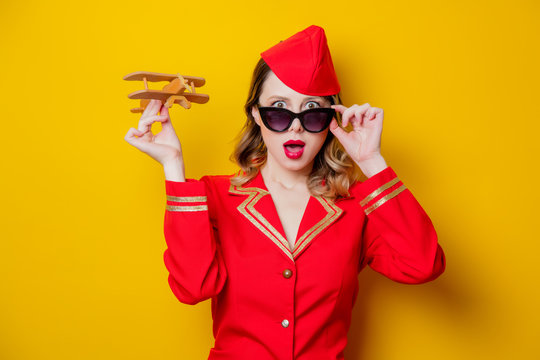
[290, 156]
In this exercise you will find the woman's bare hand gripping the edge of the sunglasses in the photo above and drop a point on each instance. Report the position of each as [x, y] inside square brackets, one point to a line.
[363, 143]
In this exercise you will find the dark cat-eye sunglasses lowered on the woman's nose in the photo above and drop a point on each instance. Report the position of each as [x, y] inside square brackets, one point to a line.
[280, 119]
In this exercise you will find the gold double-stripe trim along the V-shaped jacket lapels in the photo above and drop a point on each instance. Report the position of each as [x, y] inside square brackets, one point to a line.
[258, 220]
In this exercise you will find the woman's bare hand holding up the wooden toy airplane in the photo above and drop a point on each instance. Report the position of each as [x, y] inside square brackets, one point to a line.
[164, 147]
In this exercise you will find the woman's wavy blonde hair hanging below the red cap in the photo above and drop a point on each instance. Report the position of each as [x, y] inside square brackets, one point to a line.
[333, 170]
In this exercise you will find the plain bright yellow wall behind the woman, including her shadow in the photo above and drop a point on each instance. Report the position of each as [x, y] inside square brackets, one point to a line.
[82, 210]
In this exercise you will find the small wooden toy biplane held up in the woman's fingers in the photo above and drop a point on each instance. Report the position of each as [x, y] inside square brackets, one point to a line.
[172, 93]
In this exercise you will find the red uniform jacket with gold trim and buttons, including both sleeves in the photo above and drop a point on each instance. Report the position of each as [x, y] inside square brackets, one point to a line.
[270, 302]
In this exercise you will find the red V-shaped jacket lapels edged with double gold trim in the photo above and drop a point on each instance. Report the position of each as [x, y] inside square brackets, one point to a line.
[259, 209]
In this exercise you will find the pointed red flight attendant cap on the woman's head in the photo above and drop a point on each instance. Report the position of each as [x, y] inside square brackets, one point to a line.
[303, 63]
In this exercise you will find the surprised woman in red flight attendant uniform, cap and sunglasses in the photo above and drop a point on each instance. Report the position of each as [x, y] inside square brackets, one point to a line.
[279, 245]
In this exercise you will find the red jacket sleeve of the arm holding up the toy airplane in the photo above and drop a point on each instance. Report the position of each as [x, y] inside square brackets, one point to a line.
[193, 256]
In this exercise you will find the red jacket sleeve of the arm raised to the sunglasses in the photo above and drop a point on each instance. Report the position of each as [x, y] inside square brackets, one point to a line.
[399, 239]
